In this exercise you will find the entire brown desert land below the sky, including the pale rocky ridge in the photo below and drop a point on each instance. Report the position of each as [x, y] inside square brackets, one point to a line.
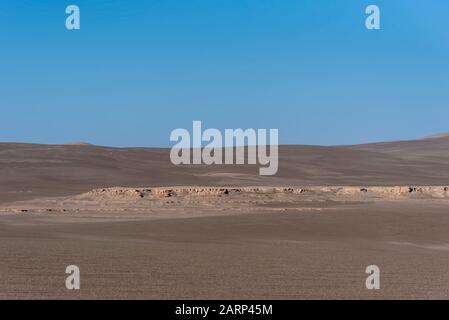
[225, 232]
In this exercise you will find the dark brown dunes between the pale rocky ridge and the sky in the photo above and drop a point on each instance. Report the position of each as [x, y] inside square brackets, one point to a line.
[28, 171]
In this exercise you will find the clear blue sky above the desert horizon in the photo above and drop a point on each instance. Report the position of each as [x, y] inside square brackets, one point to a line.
[138, 69]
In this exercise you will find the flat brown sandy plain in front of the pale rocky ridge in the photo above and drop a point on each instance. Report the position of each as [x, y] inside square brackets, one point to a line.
[310, 254]
